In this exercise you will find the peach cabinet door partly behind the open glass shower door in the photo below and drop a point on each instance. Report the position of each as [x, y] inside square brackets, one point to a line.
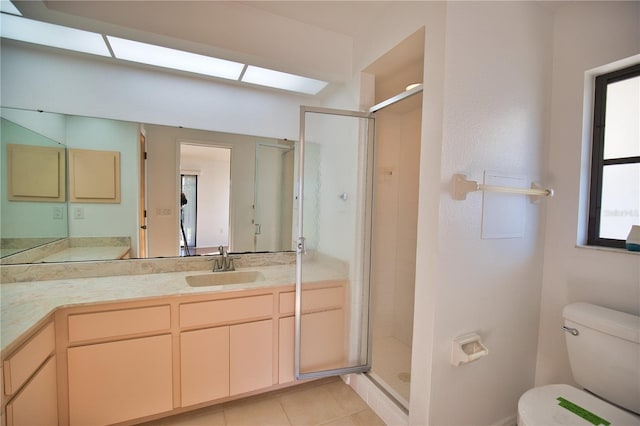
[322, 341]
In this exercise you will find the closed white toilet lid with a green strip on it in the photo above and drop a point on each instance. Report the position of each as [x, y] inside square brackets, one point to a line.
[566, 405]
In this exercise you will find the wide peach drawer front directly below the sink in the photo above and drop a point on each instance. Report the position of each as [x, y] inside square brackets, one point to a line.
[227, 310]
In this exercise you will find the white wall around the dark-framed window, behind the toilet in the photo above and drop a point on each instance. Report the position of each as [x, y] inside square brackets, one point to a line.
[608, 278]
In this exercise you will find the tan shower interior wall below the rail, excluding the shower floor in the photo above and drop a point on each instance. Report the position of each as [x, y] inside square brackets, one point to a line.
[395, 223]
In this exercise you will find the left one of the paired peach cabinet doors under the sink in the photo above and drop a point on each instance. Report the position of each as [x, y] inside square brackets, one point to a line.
[204, 365]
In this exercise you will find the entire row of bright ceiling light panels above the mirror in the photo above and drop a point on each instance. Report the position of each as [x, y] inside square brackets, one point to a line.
[42, 33]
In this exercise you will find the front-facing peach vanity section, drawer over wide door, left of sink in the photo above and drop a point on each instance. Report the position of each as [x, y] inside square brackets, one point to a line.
[120, 377]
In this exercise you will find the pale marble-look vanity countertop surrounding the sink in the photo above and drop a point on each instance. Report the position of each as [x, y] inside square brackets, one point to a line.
[24, 304]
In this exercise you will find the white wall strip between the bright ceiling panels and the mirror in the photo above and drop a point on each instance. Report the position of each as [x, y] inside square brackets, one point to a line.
[90, 86]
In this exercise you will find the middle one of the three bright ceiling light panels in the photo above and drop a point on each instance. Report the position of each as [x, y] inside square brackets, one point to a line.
[175, 59]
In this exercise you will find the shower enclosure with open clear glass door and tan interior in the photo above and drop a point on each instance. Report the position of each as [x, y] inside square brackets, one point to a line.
[357, 211]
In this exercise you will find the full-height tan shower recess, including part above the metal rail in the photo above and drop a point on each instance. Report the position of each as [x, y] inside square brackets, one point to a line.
[397, 169]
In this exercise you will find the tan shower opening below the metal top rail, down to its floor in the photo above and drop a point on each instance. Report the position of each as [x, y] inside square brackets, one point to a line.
[395, 238]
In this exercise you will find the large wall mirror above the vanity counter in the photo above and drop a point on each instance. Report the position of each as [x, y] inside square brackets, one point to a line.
[240, 190]
